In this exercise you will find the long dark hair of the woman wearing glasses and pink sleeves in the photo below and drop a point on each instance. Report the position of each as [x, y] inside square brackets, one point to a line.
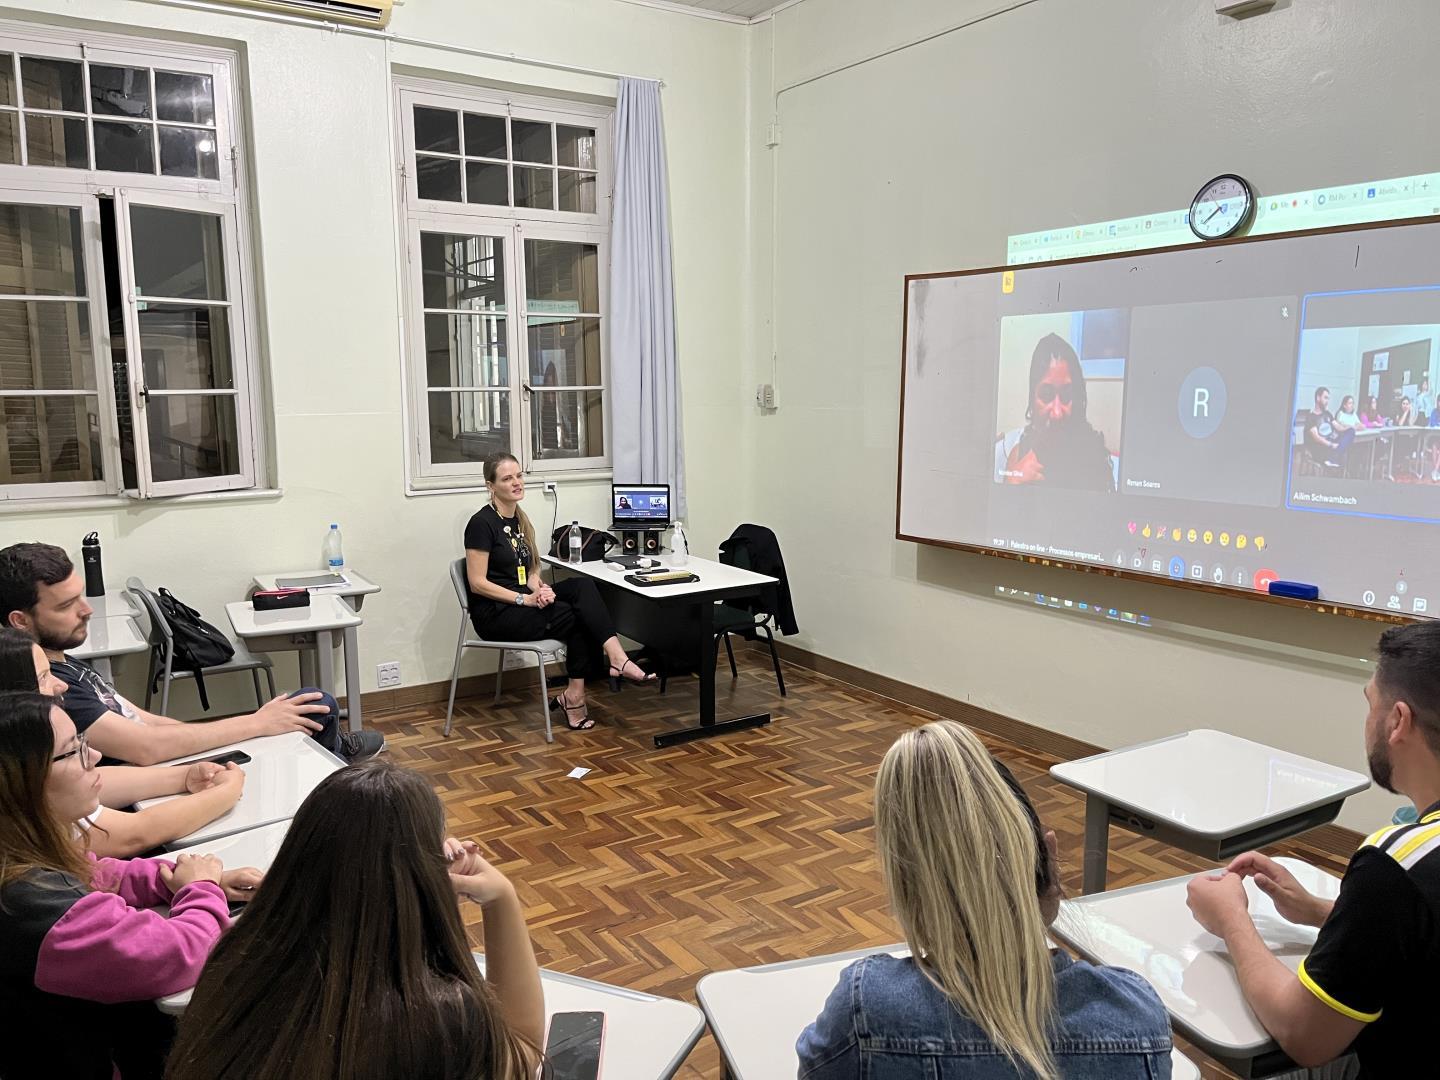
[31, 836]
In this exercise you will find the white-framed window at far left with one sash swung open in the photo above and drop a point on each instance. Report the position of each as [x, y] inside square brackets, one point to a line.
[125, 326]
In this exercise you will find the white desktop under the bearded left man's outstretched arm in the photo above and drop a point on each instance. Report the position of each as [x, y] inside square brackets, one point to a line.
[282, 773]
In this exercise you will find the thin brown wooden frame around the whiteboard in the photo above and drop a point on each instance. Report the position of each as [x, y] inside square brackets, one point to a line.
[1321, 607]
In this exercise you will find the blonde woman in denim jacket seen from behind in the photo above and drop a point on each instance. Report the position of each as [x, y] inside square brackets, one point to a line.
[974, 883]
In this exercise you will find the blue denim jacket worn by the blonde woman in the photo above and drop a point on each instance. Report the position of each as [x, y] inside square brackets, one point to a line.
[888, 1022]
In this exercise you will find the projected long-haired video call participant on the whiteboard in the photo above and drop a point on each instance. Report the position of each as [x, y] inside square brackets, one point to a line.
[1058, 446]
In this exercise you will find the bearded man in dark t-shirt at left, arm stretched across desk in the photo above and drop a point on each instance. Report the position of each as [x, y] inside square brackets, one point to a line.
[42, 595]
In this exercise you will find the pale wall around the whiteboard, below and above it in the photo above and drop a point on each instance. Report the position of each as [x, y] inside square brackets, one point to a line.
[1039, 114]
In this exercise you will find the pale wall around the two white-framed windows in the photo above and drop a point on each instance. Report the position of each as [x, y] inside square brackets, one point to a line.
[320, 149]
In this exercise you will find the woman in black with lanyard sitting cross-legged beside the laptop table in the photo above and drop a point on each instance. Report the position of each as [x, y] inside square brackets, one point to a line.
[510, 603]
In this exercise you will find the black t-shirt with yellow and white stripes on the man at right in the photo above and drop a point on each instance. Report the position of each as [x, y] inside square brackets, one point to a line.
[1377, 953]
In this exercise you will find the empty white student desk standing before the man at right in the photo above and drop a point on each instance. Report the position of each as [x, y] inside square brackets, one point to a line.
[1203, 791]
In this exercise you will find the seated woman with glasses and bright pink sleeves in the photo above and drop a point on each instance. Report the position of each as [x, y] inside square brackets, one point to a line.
[81, 960]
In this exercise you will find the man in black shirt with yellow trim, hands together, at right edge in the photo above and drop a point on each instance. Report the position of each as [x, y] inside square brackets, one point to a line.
[1367, 980]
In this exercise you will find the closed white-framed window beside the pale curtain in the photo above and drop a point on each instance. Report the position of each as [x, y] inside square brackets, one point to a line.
[506, 207]
